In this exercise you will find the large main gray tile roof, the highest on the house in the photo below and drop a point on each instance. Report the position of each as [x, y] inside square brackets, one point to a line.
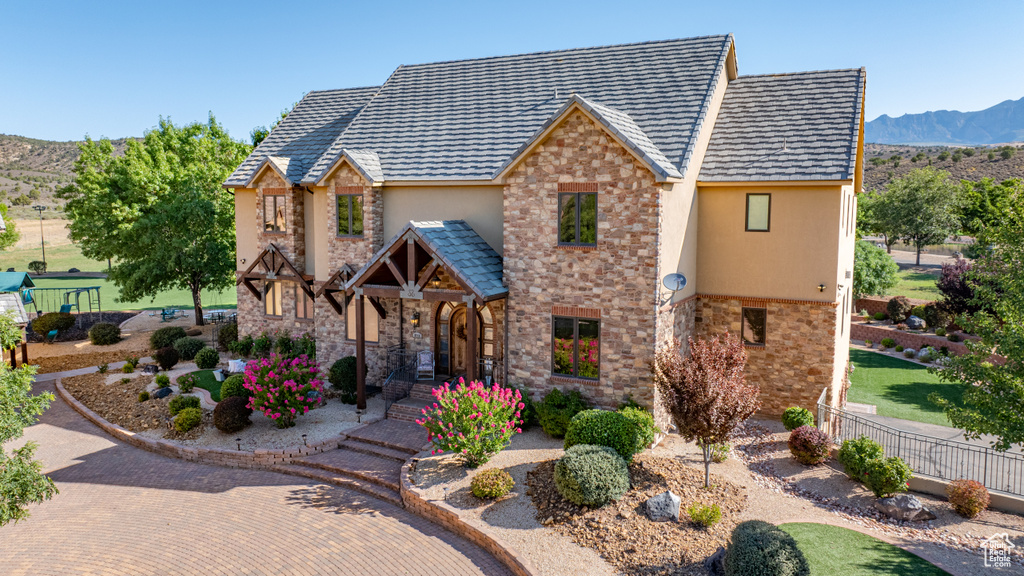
[464, 120]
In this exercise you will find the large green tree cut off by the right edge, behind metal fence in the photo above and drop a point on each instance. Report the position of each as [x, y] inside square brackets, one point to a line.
[995, 396]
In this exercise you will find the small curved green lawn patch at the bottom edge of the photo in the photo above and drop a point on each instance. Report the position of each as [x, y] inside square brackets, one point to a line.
[831, 550]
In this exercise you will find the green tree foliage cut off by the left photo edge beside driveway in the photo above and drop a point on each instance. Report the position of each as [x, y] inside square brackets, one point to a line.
[22, 481]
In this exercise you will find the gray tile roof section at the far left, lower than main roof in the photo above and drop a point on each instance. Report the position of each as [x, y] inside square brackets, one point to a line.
[303, 137]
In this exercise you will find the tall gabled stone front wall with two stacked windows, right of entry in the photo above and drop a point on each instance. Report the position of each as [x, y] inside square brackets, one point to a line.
[616, 281]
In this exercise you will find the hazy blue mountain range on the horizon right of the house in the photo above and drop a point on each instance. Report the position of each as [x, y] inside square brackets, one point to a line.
[1003, 124]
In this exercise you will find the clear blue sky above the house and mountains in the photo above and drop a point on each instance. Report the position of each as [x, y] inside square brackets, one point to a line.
[112, 69]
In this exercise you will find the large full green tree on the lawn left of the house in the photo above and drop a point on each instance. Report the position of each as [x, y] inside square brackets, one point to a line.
[159, 210]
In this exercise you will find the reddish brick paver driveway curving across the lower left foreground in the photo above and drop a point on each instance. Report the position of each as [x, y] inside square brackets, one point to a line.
[123, 511]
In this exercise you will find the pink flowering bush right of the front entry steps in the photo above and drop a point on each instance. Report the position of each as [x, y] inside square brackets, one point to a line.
[473, 421]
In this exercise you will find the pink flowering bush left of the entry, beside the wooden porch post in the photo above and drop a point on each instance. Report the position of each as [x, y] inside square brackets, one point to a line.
[283, 389]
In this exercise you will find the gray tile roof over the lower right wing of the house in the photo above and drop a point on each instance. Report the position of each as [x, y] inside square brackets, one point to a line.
[800, 127]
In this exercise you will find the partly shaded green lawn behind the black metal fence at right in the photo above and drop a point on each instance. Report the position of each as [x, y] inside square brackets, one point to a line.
[899, 388]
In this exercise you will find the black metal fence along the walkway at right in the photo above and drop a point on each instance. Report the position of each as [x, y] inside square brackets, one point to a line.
[930, 457]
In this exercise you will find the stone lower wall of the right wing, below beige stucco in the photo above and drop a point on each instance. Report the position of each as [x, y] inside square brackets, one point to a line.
[796, 362]
